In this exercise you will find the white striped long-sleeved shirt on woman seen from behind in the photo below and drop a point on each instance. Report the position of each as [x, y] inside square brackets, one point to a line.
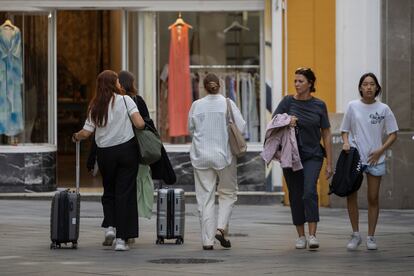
[207, 124]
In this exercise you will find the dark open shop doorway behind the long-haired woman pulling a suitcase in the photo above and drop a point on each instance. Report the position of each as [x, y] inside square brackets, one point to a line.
[88, 42]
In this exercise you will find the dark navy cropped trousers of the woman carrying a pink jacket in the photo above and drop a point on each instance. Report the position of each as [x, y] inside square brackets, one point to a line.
[303, 195]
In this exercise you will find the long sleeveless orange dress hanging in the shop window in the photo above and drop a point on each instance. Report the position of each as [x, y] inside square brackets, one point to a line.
[179, 84]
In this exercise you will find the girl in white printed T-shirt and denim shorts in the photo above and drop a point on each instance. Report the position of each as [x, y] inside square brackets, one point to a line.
[363, 126]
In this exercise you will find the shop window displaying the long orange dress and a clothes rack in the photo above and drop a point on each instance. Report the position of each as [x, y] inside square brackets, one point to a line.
[224, 43]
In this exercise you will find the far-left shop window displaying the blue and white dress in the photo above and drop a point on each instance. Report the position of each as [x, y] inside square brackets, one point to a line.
[23, 78]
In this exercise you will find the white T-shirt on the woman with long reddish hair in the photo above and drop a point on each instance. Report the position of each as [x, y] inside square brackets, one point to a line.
[118, 128]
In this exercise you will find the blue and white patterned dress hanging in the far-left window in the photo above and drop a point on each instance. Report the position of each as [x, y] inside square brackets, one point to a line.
[11, 79]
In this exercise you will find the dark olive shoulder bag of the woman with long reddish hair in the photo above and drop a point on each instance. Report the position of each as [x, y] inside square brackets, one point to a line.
[149, 143]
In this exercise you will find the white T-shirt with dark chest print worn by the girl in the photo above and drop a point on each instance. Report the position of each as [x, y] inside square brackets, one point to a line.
[366, 125]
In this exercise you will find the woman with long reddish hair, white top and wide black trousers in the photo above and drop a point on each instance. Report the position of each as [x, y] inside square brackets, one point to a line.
[116, 147]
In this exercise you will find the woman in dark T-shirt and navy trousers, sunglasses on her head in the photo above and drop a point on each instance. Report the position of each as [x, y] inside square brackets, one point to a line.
[309, 116]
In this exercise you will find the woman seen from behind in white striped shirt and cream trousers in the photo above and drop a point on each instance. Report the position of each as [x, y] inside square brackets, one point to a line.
[211, 157]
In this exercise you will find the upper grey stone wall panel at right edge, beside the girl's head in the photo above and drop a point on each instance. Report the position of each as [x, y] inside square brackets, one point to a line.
[397, 45]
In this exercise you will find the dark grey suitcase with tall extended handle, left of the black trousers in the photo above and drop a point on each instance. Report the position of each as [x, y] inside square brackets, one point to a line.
[65, 213]
